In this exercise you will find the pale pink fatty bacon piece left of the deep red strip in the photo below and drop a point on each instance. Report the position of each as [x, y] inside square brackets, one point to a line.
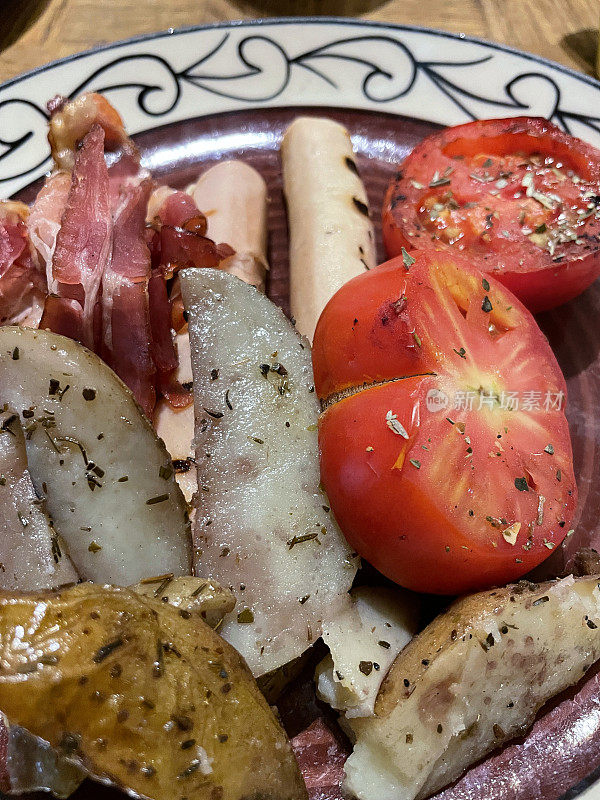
[45, 217]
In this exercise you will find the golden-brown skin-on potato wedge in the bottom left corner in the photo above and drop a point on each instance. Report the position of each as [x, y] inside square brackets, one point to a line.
[140, 695]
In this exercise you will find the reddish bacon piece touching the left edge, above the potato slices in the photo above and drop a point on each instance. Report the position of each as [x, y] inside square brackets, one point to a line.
[21, 285]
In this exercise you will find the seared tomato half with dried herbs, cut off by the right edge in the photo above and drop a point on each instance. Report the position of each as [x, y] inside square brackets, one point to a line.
[519, 197]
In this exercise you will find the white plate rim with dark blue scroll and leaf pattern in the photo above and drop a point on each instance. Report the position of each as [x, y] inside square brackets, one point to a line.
[169, 76]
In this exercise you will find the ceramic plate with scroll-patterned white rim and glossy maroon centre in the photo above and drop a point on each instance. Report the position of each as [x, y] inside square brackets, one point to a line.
[195, 96]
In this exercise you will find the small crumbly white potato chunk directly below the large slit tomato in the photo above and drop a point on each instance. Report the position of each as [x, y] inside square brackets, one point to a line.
[363, 643]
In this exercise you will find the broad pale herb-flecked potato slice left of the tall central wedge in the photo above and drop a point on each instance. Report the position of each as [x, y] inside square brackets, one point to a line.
[106, 477]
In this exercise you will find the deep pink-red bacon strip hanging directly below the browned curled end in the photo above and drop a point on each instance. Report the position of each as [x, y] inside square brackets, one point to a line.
[84, 241]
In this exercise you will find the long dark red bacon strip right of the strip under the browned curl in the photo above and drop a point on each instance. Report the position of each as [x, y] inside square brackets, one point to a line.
[126, 331]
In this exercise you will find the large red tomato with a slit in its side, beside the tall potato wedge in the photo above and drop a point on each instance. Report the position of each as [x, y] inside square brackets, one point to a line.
[445, 450]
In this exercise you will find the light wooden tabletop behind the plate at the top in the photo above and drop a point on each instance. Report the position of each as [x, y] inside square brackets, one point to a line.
[33, 32]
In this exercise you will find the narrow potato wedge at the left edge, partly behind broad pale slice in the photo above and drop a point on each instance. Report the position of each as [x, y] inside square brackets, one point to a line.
[32, 555]
